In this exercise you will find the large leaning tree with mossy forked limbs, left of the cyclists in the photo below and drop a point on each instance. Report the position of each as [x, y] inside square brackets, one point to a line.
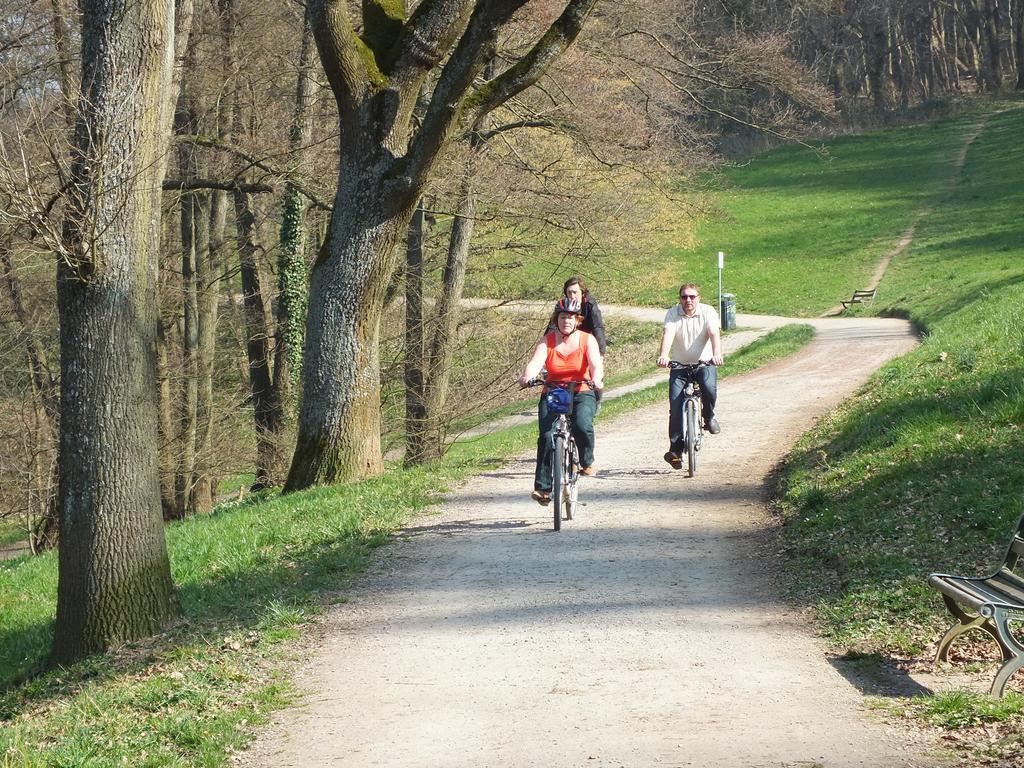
[386, 161]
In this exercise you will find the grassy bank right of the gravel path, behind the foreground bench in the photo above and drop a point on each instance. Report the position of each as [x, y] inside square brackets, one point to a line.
[923, 471]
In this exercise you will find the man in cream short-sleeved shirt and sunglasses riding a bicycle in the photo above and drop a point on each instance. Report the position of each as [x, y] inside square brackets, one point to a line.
[693, 333]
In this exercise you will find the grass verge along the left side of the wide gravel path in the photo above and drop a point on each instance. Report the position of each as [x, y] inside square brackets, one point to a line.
[251, 578]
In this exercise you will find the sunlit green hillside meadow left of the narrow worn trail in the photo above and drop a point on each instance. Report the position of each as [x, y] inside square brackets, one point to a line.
[801, 227]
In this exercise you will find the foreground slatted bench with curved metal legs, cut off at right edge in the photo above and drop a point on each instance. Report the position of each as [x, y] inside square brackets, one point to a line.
[991, 603]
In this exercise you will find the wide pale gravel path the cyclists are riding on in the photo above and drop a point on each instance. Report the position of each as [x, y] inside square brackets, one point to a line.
[649, 632]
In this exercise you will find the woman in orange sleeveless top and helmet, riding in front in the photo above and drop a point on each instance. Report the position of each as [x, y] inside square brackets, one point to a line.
[569, 355]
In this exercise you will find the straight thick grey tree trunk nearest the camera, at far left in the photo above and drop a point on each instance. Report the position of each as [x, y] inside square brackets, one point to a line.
[114, 580]
